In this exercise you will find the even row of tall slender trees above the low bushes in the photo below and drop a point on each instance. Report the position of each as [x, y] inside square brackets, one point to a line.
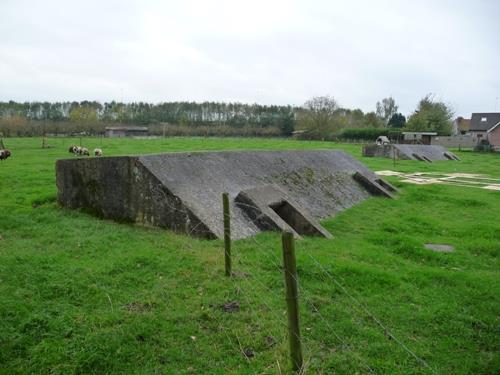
[182, 113]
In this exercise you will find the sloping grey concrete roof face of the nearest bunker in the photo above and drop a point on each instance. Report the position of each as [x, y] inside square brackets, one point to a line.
[319, 181]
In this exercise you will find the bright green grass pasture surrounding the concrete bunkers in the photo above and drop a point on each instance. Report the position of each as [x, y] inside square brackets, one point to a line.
[81, 295]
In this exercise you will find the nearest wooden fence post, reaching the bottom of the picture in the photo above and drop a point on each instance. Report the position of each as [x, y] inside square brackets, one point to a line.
[292, 302]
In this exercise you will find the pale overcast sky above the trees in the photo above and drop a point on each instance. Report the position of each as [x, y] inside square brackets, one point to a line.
[258, 51]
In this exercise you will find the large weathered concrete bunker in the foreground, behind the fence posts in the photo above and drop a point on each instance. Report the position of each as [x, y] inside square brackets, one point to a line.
[268, 190]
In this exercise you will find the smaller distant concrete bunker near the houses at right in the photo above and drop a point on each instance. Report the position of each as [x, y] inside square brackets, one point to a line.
[427, 153]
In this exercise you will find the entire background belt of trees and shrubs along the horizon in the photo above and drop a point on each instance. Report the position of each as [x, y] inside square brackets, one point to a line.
[319, 118]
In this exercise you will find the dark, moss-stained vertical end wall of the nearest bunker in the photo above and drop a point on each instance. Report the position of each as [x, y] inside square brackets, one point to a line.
[123, 189]
